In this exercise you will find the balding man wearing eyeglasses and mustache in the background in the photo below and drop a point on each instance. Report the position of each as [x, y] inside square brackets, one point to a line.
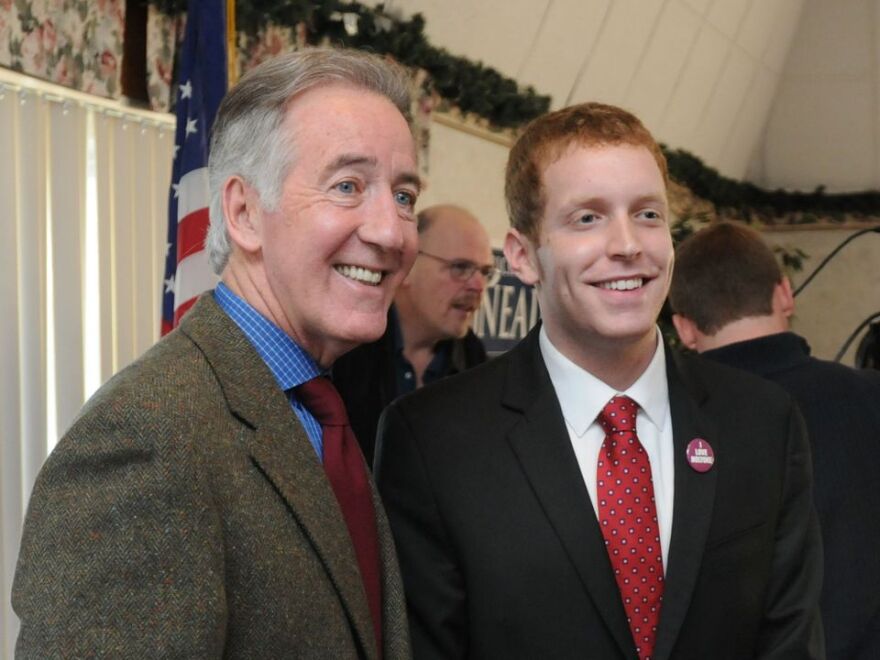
[429, 332]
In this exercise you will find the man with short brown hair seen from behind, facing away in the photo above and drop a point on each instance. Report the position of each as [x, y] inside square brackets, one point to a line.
[733, 304]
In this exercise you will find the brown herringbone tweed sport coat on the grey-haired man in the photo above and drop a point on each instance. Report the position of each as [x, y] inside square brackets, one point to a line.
[185, 514]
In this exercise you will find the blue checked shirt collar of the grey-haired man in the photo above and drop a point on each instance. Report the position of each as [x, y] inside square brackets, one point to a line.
[288, 362]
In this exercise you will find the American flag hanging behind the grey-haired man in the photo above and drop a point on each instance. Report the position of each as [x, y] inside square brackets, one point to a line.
[201, 85]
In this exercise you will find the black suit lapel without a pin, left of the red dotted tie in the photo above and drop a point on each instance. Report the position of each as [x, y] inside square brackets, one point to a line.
[542, 445]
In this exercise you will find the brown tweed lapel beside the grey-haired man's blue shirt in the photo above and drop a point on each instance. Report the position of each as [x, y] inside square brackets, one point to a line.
[279, 446]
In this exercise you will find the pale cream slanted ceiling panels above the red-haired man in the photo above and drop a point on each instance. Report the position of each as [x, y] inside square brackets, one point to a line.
[702, 74]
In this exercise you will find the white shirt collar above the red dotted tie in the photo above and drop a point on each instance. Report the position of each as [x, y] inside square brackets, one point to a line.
[582, 396]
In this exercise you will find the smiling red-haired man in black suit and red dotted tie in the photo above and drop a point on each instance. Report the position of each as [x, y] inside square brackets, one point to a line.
[591, 494]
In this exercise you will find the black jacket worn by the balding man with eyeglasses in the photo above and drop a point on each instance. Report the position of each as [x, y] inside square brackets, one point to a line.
[366, 378]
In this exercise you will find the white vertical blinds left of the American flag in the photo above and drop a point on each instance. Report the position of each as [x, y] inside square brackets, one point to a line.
[44, 174]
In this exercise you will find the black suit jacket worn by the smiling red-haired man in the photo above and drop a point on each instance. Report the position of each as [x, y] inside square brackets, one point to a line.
[501, 552]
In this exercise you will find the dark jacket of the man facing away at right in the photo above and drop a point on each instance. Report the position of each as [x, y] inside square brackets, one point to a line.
[841, 407]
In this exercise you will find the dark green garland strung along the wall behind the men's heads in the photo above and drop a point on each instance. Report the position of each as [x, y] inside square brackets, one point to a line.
[482, 91]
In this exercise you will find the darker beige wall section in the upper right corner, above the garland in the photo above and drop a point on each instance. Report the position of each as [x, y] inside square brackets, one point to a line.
[824, 125]
